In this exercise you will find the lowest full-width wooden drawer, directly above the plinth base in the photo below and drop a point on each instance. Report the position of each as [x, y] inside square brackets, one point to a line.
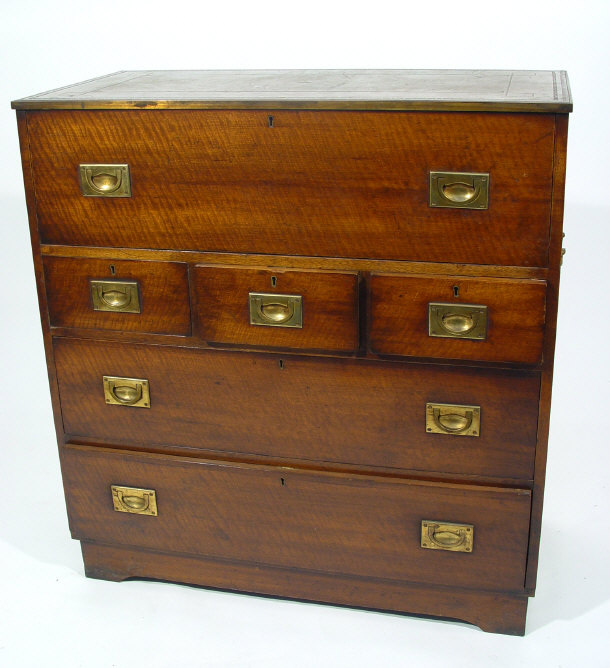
[337, 523]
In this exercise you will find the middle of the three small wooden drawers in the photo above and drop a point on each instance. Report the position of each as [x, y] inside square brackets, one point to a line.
[279, 308]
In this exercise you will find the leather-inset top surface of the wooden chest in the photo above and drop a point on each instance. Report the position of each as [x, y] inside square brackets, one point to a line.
[545, 91]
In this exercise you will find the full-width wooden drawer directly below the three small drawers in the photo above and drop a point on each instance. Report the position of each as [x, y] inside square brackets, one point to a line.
[333, 410]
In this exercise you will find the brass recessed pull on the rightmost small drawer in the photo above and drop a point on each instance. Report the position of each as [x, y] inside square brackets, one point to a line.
[457, 321]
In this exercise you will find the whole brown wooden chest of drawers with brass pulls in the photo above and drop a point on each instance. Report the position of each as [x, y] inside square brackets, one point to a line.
[300, 328]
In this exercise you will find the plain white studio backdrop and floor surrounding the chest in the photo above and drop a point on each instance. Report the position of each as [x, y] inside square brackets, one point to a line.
[49, 613]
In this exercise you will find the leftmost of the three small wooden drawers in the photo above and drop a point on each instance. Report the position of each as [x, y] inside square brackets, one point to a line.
[119, 295]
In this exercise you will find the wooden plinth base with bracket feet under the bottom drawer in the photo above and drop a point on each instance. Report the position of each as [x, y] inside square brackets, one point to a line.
[491, 611]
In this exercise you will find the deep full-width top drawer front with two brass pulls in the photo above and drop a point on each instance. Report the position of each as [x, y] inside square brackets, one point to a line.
[395, 185]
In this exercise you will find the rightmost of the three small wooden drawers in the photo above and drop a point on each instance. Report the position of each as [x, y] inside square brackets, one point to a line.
[453, 317]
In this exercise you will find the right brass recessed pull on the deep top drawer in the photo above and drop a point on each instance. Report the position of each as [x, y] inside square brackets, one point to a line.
[459, 190]
